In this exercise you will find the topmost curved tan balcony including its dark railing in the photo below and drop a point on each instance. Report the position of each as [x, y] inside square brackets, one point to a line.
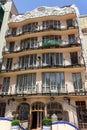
[41, 32]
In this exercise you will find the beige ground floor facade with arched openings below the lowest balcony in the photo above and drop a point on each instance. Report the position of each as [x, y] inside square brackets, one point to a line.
[31, 110]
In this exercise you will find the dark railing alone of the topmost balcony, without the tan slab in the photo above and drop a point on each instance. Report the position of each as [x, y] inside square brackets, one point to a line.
[38, 29]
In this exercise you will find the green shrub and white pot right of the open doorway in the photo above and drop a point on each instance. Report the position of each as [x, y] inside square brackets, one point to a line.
[46, 123]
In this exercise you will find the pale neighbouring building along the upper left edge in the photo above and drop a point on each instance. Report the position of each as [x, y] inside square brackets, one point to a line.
[7, 8]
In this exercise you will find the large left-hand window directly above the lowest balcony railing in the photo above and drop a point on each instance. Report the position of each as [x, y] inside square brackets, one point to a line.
[26, 83]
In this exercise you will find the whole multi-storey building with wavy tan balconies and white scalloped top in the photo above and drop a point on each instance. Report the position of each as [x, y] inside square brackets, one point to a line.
[43, 70]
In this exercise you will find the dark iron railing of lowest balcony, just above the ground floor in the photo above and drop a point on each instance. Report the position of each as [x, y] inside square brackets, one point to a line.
[45, 92]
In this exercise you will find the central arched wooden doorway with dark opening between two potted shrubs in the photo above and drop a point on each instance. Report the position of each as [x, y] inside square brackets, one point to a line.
[37, 115]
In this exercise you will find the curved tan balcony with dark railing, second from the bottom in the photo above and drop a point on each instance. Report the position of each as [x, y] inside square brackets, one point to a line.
[43, 68]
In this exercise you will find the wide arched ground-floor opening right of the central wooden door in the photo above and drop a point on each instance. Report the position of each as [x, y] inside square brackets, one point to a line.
[55, 108]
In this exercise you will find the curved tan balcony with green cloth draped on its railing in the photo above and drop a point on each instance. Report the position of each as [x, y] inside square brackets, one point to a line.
[48, 46]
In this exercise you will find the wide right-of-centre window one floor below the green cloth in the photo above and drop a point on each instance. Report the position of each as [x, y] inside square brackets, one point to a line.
[52, 59]
